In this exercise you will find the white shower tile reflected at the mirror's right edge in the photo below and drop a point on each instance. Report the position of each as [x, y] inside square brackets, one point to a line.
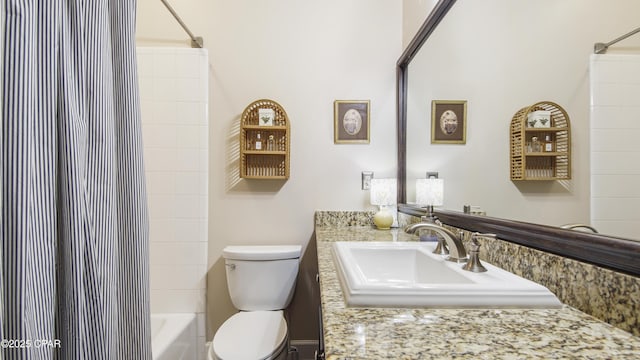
[615, 145]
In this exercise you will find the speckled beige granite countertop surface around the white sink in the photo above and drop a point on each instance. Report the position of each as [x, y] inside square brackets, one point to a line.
[422, 333]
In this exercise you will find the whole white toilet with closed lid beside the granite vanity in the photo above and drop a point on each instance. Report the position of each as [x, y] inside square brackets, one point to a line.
[261, 282]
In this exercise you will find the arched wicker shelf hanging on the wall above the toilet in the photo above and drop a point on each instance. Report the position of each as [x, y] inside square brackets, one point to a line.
[264, 142]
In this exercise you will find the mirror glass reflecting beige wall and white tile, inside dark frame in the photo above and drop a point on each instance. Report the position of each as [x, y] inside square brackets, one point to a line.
[500, 56]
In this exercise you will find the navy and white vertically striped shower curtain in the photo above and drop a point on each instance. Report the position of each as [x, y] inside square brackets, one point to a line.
[74, 235]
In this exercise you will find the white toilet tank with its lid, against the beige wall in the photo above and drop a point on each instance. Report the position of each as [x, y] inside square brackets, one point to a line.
[261, 277]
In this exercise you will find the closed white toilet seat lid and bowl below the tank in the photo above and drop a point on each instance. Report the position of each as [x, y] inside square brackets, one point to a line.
[250, 335]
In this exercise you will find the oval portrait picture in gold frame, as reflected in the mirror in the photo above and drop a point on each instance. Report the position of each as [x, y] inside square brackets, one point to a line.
[448, 121]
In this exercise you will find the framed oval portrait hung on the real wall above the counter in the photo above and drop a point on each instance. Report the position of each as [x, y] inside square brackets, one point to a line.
[351, 121]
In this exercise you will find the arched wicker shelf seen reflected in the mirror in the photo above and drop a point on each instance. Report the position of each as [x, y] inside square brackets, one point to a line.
[541, 153]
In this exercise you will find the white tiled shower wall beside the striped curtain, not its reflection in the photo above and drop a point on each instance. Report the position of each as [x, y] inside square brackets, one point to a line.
[174, 96]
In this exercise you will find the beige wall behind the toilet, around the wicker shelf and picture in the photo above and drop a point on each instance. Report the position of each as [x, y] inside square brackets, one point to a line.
[303, 55]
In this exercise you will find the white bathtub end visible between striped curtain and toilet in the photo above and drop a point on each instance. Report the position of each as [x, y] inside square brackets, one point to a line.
[173, 336]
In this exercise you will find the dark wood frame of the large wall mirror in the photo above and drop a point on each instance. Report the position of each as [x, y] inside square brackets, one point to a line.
[618, 254]
